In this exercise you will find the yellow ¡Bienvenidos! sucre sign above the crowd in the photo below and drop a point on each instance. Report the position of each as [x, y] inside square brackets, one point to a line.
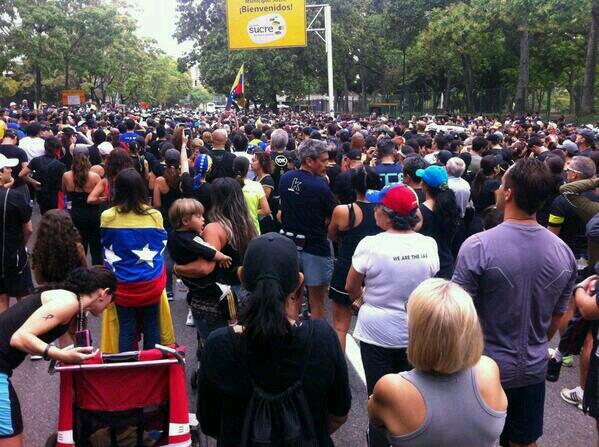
[255, 24]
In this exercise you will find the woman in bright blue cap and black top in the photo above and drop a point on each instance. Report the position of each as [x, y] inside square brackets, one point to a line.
[440, 215]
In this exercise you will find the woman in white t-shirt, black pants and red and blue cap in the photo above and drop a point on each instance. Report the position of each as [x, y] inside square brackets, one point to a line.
[390, 265]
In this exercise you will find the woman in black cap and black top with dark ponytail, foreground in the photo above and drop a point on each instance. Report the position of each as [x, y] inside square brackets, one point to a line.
[270, 351]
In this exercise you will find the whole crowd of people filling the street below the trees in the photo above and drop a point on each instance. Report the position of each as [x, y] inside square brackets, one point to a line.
[460, 245]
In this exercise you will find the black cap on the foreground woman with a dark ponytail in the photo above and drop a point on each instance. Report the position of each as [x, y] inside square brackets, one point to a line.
[271, 256]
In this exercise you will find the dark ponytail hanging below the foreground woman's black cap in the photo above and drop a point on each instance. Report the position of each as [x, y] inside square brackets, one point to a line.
[265, 319]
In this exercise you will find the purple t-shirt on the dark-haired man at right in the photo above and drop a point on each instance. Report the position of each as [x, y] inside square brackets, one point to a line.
[519, 276]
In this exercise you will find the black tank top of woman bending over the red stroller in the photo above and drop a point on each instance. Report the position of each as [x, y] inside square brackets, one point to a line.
[10, 321]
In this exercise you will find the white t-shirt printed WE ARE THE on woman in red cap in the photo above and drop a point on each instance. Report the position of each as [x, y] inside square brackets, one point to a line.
[393, 265]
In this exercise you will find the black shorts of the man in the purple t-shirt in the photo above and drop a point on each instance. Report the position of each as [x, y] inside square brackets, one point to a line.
[524, 421]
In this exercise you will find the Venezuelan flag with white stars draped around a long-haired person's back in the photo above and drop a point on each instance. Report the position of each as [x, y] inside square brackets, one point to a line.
[133, 249]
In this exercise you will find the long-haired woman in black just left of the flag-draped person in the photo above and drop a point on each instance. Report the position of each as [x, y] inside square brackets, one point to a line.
[77, 184]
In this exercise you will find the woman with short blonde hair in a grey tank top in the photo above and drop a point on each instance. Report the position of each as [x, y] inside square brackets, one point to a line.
[453, 395]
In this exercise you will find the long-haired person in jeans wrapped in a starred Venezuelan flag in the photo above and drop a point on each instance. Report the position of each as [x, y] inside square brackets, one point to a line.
[134, 239]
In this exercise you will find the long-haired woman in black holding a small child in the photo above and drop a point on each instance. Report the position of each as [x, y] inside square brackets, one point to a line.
[230, 231]
